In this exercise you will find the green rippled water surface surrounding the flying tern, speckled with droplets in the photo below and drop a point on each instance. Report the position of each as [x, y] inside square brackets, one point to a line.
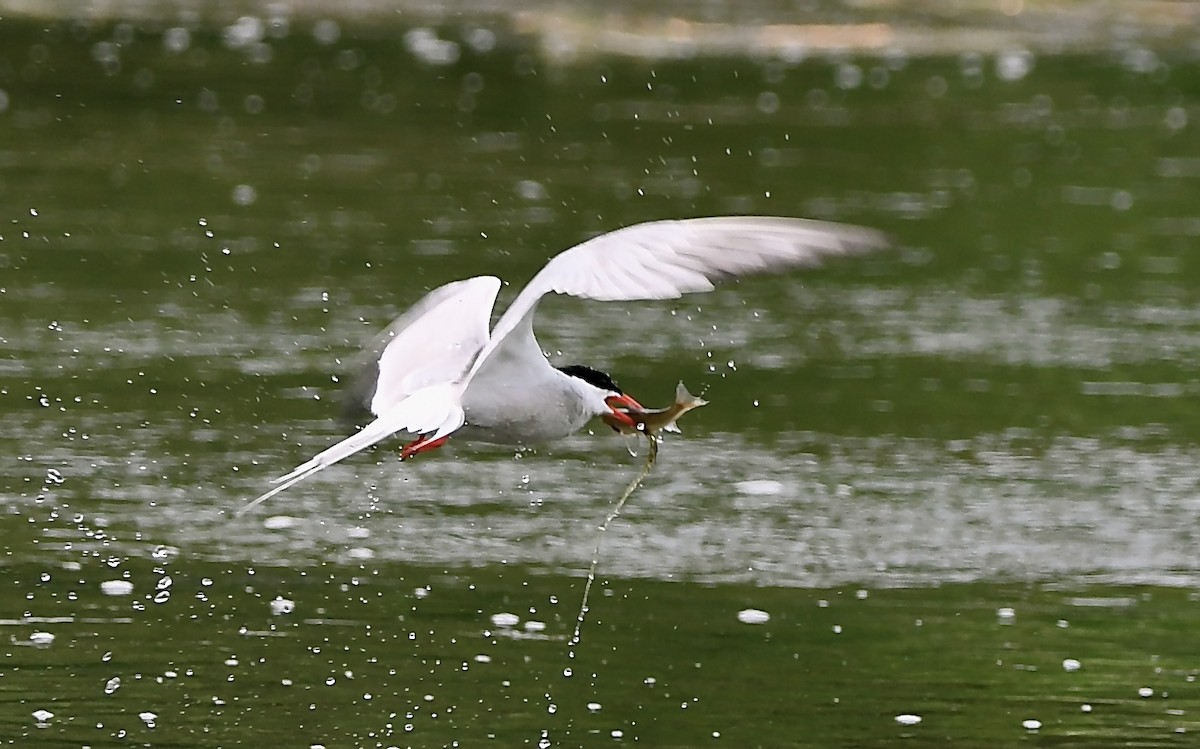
[943, 474]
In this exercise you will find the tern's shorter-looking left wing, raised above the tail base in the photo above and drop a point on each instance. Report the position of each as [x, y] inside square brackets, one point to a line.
[436, 341]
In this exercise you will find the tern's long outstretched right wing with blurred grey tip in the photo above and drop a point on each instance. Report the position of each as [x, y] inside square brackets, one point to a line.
[665, 260]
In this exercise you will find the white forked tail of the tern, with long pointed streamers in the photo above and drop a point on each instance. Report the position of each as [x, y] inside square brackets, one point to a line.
[436, 410]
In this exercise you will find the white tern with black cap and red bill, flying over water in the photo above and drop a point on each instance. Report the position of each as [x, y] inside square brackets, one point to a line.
[442, 371]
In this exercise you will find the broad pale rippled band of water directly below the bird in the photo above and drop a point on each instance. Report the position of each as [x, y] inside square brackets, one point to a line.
[821, 511]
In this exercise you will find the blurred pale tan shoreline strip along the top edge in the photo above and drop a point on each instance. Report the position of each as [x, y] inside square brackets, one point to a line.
[680, 31]
